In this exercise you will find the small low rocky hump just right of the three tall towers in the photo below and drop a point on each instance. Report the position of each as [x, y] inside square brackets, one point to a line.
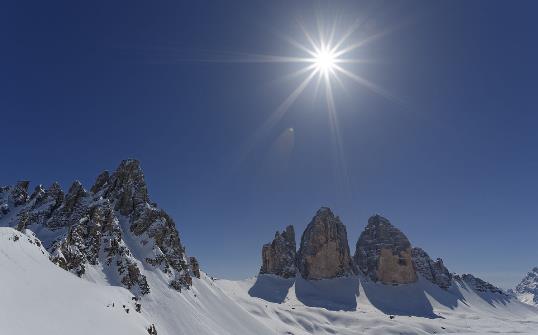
[434, 271]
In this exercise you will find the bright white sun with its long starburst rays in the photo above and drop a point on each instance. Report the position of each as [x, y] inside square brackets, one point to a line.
[323, 55]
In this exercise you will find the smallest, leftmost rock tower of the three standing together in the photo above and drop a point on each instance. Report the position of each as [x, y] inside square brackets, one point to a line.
[278, 257]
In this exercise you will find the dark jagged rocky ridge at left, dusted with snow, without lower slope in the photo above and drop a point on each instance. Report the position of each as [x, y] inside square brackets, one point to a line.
[102, 228]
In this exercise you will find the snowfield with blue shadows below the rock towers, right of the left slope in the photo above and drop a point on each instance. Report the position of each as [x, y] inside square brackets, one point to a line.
[354, 305]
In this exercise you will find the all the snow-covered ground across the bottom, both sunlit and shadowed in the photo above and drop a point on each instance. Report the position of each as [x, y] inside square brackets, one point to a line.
[38, 297]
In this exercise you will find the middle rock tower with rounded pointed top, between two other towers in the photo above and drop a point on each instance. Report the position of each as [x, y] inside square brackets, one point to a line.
[324, 251]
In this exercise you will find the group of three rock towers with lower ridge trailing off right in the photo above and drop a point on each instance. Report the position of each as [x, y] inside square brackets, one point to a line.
[383, 254]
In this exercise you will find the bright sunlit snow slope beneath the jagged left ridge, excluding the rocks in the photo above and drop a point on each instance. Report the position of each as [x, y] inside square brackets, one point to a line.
[38, 297]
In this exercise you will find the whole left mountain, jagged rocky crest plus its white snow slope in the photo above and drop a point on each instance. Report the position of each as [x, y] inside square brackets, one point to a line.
[125, 250]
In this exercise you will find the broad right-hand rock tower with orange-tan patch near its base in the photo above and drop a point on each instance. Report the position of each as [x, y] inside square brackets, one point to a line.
[383, 253]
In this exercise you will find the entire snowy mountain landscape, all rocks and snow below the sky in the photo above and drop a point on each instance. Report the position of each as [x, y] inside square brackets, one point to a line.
[109, 261]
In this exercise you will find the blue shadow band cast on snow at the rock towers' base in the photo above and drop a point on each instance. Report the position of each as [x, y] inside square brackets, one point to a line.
[341, 294]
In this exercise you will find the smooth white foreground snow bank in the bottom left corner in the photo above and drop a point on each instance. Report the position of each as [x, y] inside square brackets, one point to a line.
[38, 297]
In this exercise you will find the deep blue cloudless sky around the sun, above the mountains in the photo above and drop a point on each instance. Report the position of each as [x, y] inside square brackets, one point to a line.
[452, 161]
